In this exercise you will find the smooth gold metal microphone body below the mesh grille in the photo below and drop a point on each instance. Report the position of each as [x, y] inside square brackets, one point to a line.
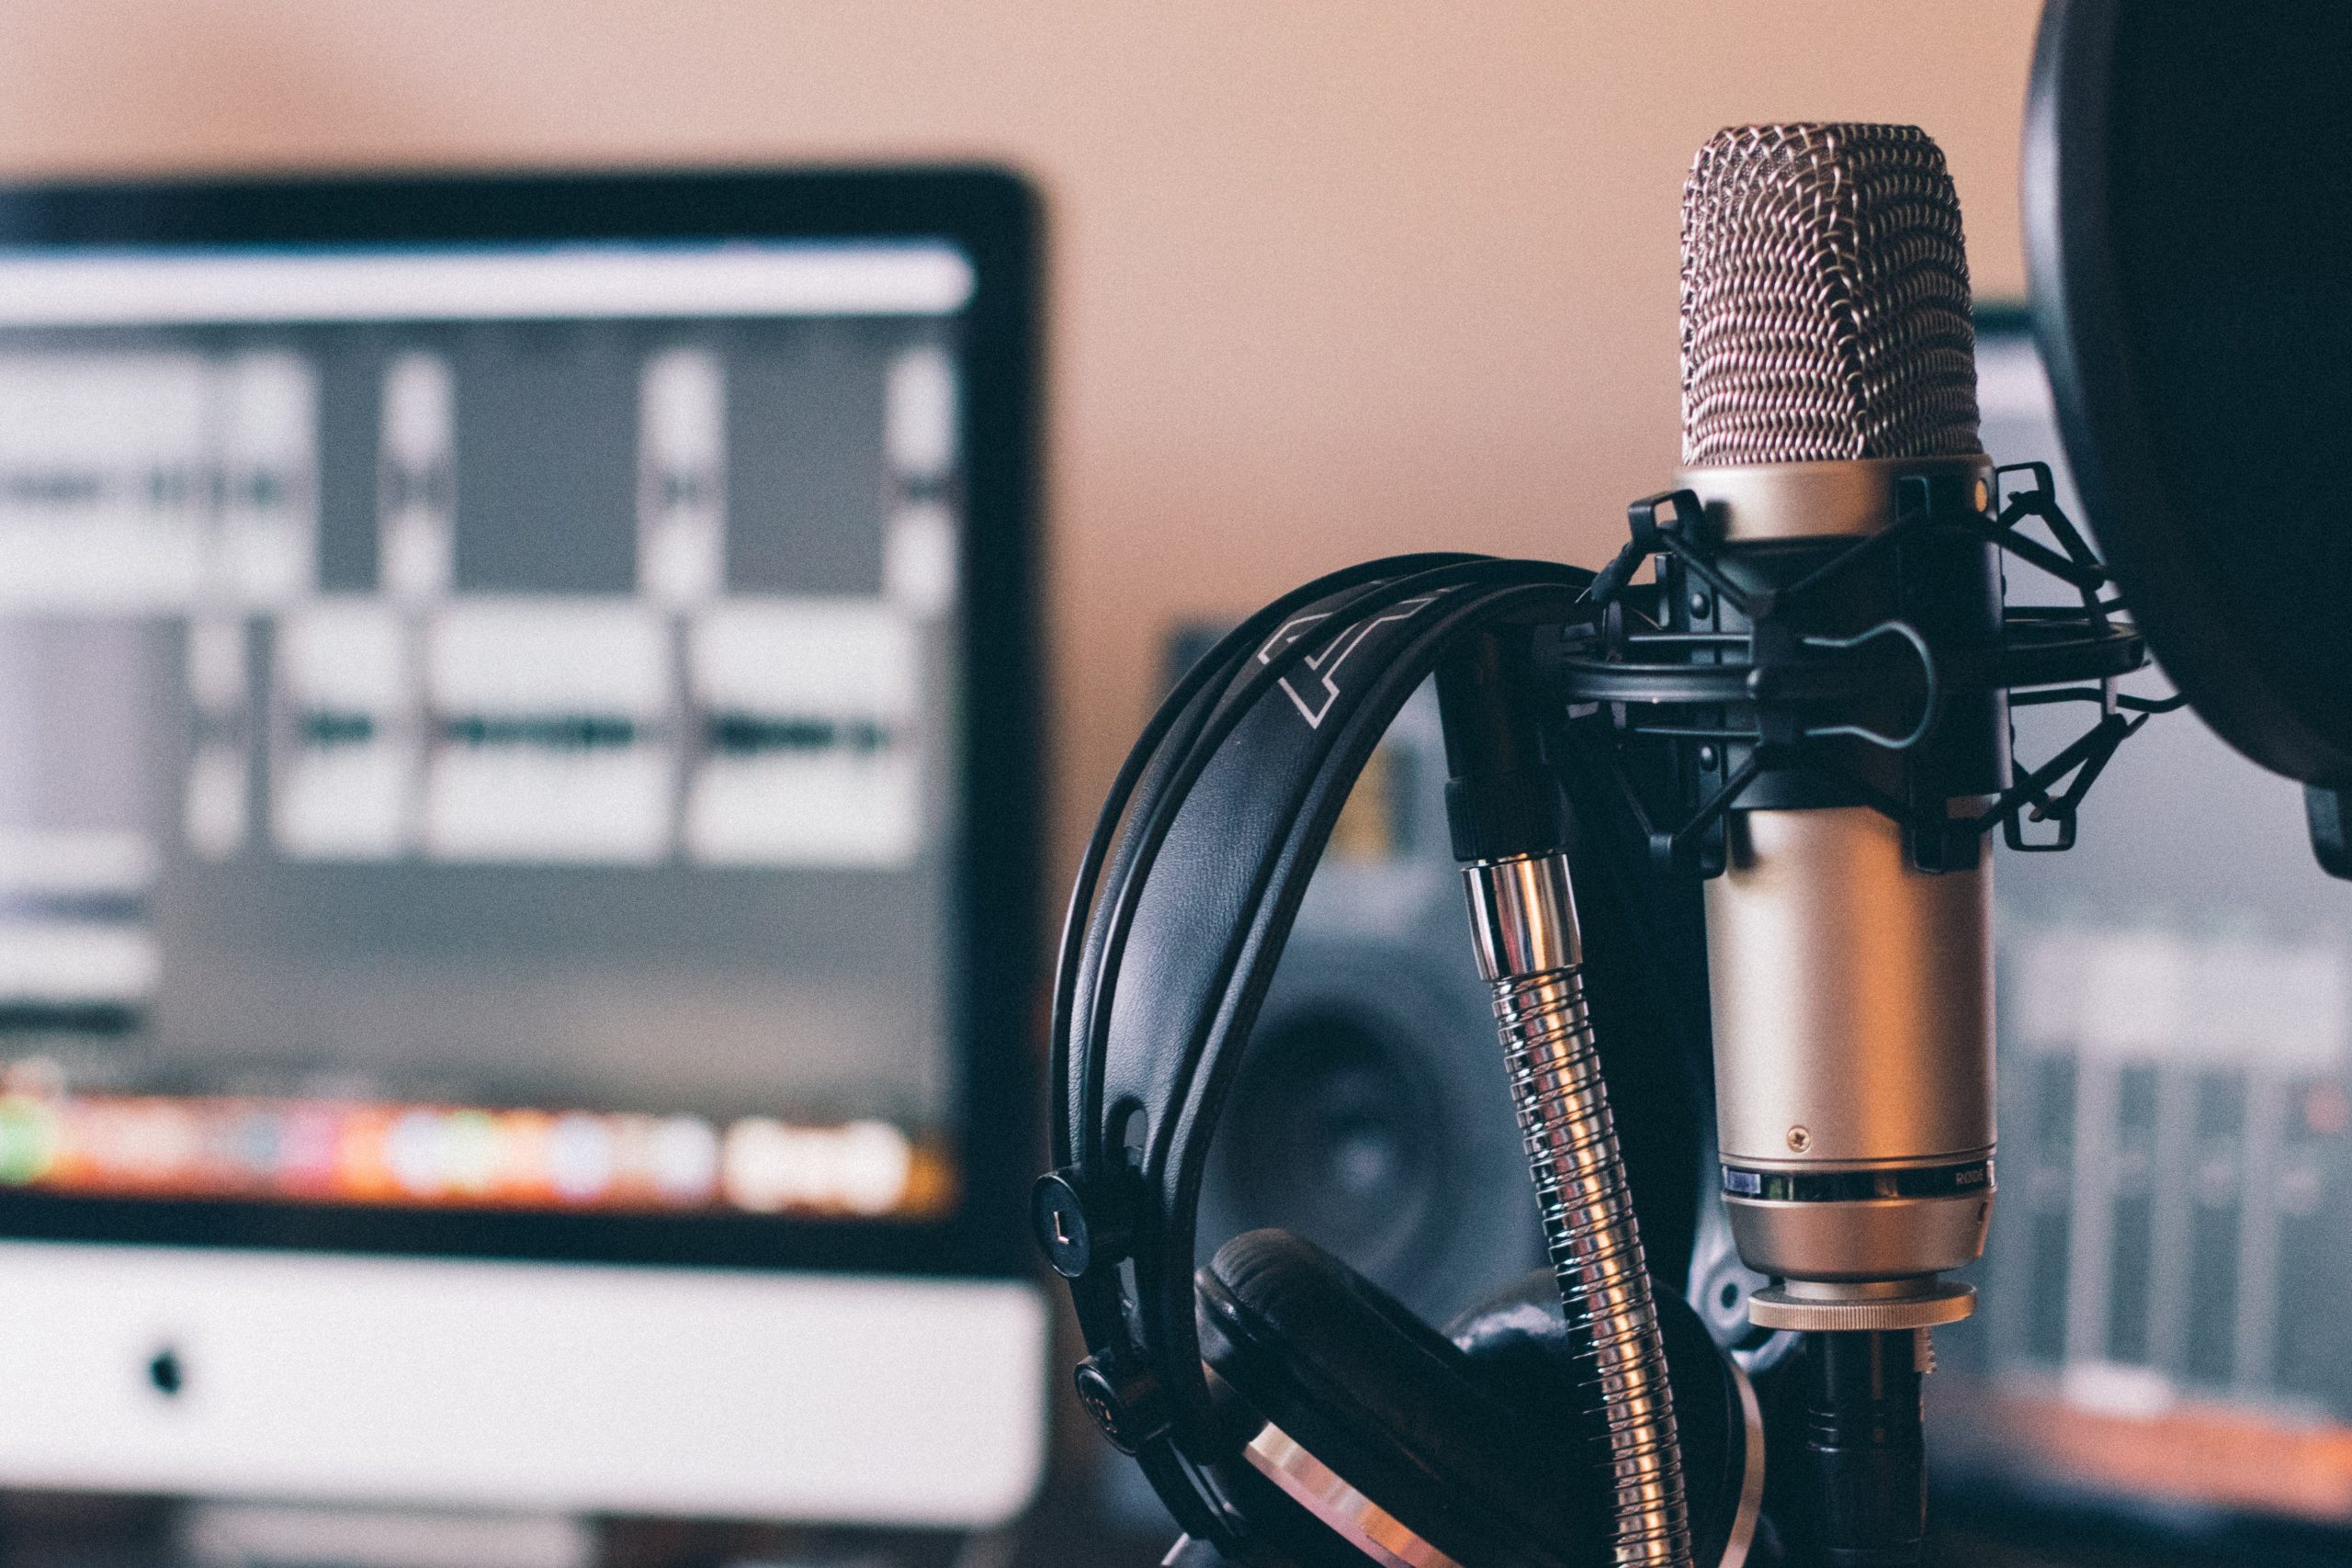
[1852, 996]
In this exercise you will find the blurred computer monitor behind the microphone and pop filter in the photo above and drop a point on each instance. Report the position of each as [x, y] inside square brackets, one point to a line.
[2163, 1308]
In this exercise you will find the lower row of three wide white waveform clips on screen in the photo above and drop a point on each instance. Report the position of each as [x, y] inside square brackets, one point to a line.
[575, 730]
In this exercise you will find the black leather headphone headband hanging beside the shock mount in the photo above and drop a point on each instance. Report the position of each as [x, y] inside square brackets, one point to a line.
[1212, 833]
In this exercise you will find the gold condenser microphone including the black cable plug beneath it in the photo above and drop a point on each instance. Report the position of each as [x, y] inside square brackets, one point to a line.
[1829, 384]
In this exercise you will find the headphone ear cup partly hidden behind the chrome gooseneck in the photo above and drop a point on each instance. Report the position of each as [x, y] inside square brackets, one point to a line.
[1518, 1346]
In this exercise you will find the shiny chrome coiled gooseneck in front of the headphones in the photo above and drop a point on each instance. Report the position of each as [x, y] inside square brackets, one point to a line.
[1530, 953]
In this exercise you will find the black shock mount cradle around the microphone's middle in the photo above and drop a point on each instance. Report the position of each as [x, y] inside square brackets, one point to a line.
[1845, 671]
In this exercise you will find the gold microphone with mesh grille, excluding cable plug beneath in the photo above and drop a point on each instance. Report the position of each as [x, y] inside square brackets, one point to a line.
[1826, 361]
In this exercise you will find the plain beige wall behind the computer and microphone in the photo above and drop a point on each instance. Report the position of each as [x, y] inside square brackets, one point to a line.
[1330, 279]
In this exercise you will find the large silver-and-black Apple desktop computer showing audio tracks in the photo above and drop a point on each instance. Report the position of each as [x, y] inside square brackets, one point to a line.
[519, 826]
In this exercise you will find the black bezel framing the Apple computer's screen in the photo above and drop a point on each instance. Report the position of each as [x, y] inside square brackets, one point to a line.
[994, 220]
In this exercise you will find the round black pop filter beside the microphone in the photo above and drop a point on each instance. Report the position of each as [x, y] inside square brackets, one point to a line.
[2189, 222]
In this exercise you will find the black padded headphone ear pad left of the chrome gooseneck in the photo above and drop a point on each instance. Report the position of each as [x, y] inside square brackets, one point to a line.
[1396, 1407]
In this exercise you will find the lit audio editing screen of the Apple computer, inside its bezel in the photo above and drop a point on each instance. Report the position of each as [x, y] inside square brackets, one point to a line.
[479, 728]
